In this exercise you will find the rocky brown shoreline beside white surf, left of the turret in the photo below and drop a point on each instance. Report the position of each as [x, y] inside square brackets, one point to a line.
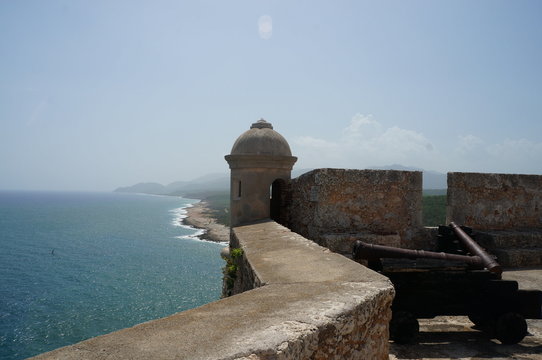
[197, 216]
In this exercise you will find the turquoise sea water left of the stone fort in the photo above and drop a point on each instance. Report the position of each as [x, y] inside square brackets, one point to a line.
[78, 265]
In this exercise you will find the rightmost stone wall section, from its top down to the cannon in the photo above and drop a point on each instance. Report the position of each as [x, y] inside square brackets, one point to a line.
[506, 210]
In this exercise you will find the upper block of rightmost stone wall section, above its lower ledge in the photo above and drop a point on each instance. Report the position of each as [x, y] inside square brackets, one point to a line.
[495, 201]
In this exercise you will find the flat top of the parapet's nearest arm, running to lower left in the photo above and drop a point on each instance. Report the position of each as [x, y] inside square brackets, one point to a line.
[266, 320]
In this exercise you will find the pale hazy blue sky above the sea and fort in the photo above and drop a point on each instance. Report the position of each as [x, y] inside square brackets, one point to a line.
[100, 94]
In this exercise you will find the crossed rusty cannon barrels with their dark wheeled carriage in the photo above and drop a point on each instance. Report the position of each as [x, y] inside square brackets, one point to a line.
[460, 278]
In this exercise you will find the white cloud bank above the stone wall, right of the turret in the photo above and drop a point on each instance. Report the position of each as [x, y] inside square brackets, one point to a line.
[366, 142]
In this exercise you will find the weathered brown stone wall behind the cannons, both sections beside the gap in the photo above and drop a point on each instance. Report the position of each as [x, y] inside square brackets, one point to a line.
[336, 207]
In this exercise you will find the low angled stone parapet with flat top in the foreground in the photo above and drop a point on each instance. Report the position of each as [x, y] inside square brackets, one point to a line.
[304, 302]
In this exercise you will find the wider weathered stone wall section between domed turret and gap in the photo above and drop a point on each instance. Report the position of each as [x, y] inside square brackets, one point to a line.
[335, 201]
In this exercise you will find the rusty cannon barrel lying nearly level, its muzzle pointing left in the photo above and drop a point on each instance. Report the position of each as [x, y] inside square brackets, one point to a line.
[373, 252]
